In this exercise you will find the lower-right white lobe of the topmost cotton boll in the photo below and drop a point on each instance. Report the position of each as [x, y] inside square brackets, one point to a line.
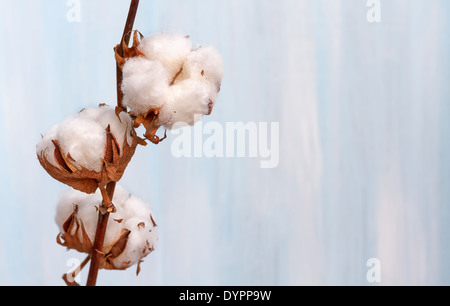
[187, 102]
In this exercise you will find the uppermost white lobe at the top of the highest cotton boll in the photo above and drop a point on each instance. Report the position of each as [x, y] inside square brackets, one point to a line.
[169, 49]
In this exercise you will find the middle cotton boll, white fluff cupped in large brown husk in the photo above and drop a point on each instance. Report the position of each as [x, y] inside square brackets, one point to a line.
[90, 149]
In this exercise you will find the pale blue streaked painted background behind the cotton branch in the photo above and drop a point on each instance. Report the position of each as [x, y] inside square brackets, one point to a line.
[364, 141]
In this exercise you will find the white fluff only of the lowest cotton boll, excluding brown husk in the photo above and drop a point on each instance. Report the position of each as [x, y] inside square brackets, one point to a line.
[132, 214]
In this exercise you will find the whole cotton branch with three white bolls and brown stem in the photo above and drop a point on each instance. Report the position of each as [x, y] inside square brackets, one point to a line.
[164, 81]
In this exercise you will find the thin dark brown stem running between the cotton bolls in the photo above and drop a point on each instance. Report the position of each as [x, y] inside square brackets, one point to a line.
[102, 215]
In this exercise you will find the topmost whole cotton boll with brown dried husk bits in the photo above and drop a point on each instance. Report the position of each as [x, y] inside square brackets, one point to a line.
[167, 82]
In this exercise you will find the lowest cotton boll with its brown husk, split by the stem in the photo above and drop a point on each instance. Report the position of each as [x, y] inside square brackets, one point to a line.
[130, 234]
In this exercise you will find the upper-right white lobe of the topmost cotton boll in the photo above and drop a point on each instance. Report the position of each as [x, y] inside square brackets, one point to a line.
[204, 64]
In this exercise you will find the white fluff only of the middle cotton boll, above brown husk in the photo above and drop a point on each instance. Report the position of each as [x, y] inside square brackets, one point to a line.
[83, 137]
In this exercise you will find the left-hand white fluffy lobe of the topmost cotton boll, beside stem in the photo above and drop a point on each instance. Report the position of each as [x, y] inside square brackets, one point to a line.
[145, 83]
